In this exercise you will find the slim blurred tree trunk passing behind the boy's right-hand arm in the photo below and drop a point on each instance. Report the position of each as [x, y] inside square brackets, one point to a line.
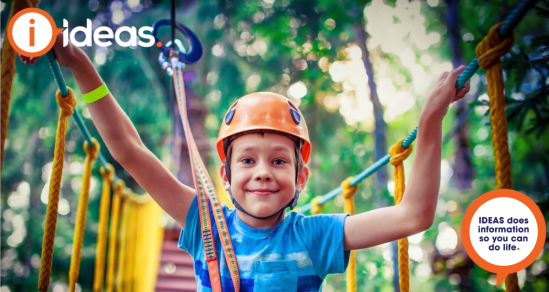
[379, 137]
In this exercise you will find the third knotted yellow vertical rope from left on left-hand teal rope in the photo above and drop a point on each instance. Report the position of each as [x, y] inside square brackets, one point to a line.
[108, 176]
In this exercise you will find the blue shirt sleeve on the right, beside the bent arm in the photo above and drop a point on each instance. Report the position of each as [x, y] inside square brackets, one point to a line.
[323, 238]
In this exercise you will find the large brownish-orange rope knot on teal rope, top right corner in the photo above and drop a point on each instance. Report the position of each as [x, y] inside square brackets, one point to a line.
[492, 47]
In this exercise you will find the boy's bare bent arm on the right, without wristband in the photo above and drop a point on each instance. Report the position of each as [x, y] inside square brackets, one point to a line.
[416, 211]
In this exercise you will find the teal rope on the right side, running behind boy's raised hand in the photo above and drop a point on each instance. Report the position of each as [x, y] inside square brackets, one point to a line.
[505, 30]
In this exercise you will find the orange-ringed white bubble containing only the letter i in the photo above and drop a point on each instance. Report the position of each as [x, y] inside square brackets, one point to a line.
[32, 32]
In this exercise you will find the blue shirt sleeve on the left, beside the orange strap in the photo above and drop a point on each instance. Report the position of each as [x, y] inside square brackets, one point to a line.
[190, 237]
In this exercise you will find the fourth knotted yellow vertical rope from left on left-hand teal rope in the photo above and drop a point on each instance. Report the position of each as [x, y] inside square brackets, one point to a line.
[118, 192]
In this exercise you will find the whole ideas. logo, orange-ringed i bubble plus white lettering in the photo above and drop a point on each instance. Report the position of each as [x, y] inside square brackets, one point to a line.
[32, 33]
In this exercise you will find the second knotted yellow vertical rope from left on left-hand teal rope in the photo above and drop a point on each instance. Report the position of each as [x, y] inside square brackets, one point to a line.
[91, 155]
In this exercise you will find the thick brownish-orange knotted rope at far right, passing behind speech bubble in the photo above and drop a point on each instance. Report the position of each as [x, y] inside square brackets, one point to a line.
[489, 52]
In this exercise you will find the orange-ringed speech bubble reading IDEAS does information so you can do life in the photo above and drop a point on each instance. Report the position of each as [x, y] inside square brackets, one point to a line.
[503, 232]
